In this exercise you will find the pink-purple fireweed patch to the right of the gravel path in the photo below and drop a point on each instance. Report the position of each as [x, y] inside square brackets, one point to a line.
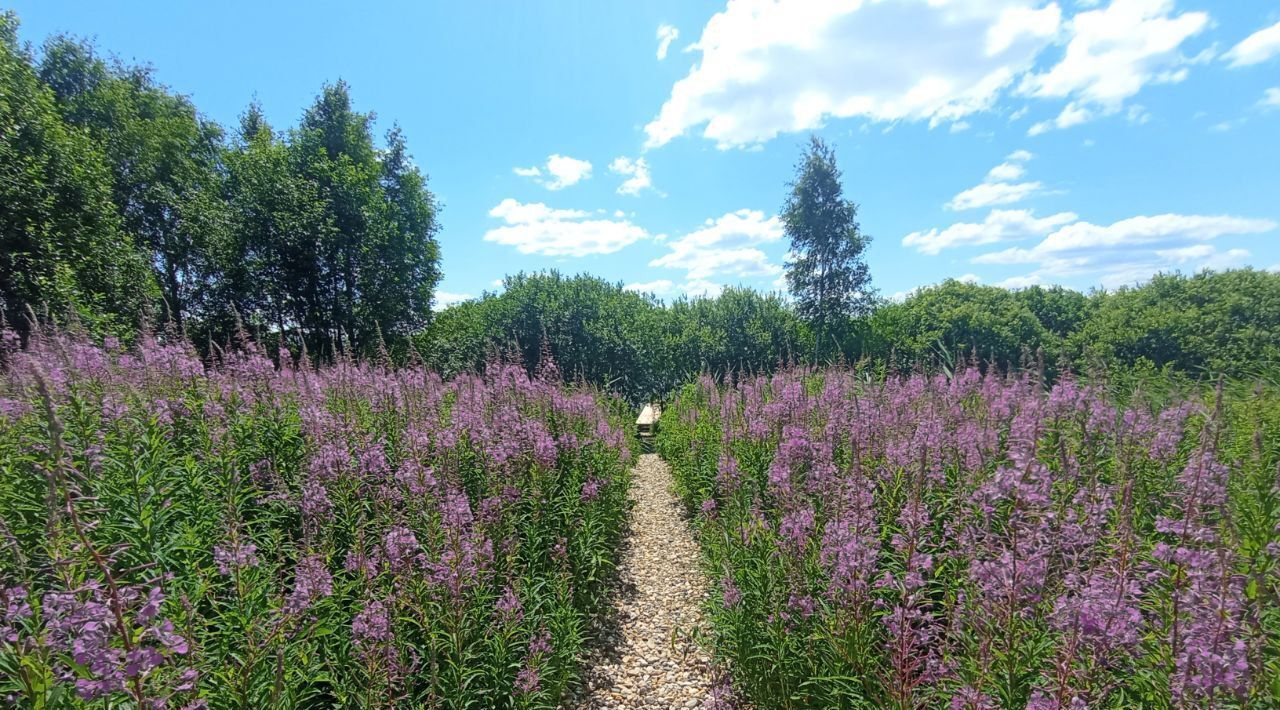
[984, 542]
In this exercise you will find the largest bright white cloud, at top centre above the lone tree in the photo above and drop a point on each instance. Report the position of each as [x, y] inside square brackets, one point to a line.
[771, 67]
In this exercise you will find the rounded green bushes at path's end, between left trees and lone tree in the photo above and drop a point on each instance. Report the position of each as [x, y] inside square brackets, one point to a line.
[614, 338]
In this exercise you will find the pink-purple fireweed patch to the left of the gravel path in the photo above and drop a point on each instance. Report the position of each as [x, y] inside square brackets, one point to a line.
[245, 535]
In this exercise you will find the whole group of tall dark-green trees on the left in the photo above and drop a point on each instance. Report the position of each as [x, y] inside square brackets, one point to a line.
[121, 205]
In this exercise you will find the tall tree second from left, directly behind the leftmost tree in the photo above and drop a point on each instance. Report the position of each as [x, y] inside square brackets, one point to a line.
[164, 161]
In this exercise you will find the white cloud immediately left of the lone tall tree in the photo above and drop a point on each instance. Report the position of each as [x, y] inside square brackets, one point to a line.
[726, 246]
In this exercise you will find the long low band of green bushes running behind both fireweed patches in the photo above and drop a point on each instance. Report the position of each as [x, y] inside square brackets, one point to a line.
[1187, 326]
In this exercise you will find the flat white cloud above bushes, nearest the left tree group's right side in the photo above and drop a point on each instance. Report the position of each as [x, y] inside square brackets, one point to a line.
[536, 228]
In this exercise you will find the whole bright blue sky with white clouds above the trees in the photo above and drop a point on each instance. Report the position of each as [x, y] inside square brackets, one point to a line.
[1080, 143]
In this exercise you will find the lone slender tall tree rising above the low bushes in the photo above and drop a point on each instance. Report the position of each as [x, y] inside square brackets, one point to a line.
[828, 276]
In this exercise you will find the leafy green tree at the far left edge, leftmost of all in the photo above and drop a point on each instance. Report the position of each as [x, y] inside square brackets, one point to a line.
[61, 240]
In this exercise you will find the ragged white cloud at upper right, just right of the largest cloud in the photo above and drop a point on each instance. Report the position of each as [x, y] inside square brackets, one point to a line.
[1112, 56]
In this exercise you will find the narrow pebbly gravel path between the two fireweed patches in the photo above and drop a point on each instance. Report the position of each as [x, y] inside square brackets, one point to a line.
[648, 657]
